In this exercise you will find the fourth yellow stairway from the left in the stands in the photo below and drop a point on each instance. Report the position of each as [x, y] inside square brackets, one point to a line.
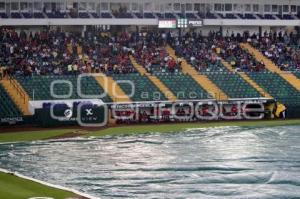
[201, 79]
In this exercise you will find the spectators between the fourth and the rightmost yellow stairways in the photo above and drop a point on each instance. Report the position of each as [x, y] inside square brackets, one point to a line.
[205, 53]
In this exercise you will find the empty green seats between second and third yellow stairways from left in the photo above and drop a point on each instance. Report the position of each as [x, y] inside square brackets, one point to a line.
[144, 89]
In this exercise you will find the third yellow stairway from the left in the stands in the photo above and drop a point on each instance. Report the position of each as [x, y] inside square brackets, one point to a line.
[156, 81]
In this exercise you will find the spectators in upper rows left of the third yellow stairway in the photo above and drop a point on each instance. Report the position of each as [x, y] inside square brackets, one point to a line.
[57, 53]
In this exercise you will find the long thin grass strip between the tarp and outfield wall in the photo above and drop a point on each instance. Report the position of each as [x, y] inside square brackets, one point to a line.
[138, 129]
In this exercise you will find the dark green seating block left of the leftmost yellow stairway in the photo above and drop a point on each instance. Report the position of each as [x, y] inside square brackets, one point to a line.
[8, 108]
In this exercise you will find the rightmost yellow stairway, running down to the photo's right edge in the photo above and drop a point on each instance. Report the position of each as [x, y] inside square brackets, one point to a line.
[289, 77]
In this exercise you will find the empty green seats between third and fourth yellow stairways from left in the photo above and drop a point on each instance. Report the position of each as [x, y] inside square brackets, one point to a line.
[183, 86]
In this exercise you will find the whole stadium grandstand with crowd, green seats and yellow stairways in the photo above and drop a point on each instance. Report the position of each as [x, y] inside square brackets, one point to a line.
[133, 57]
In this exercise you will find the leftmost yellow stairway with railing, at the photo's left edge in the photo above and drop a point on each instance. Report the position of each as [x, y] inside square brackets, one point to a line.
[17, 94]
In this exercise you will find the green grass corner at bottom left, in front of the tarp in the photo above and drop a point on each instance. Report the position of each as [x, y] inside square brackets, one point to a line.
[13, 187]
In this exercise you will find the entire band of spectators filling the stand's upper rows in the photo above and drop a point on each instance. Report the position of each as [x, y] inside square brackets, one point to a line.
[57, 52]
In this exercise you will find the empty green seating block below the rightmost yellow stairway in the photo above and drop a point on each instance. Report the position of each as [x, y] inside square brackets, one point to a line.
[279, 88]
